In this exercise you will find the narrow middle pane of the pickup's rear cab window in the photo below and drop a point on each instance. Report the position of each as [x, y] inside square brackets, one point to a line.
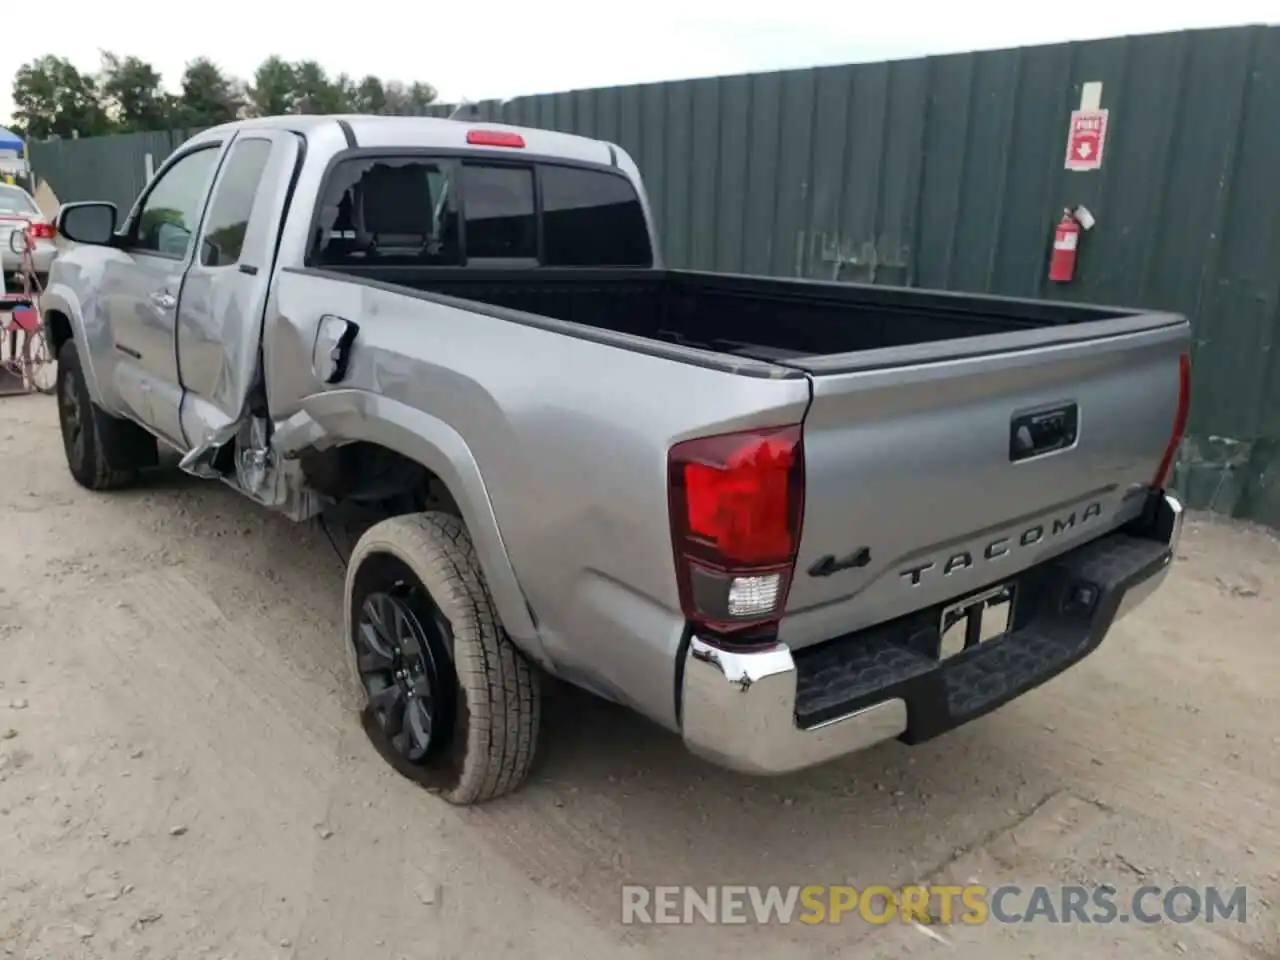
[499, 212]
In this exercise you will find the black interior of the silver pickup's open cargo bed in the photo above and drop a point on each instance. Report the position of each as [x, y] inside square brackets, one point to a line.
[743, 316]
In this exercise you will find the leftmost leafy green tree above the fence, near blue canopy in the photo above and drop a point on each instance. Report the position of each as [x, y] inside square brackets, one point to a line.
[52, 98]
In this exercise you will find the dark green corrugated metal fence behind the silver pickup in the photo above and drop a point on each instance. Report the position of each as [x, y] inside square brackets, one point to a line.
[948, 172]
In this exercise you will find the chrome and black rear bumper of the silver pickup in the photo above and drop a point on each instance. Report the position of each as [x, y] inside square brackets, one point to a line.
[772, 712]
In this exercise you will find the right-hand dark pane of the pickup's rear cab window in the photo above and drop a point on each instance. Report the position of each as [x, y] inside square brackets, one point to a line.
[592, 220]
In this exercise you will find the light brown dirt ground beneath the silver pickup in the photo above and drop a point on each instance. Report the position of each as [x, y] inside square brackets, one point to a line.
[179, 776]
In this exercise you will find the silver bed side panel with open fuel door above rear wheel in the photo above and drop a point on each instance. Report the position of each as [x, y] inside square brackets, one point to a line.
[557, 446]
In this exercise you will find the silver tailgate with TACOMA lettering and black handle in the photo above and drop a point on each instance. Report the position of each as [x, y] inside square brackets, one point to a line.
[944, 469]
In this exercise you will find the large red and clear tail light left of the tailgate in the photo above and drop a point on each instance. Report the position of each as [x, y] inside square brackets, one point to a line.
[737, 501]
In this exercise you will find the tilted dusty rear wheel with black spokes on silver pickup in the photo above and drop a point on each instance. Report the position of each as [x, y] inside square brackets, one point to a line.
[428, 655]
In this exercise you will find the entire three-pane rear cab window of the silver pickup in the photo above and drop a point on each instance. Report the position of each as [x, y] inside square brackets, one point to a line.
[401, 211]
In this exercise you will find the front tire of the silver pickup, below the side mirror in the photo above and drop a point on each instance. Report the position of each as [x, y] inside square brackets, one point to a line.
[103, 452]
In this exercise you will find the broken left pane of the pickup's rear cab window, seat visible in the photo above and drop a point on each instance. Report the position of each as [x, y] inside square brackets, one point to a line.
[388, 212]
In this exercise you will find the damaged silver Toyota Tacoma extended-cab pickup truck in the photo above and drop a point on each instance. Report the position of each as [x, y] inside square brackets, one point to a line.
[784, 519]
